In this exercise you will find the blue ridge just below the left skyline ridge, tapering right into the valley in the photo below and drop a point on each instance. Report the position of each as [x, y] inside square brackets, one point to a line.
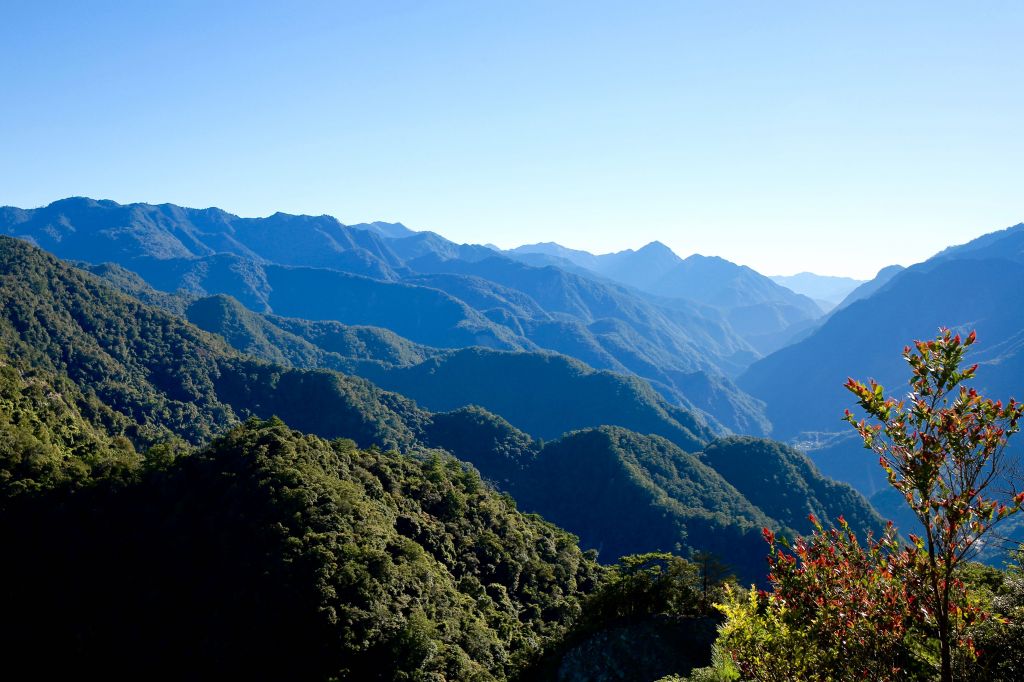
[460, 311]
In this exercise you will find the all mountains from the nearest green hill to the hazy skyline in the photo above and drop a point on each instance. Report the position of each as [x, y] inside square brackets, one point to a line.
[367, 451]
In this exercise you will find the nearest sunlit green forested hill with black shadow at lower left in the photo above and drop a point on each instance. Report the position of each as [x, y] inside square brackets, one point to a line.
[267, 556]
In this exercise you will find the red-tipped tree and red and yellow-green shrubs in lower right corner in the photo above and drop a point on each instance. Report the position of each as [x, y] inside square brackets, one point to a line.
[840, 610]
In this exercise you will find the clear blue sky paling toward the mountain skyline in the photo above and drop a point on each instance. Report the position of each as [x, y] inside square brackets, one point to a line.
[835, 138]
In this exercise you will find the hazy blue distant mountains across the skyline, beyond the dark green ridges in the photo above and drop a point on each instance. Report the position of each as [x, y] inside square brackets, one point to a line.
[697, 330]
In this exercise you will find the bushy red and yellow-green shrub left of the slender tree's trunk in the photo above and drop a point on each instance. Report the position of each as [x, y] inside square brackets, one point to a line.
[838, 611]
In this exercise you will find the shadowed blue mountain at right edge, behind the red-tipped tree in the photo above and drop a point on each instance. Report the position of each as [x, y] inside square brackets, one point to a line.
[973, 287]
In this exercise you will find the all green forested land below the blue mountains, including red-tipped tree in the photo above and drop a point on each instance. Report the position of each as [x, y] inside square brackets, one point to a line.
[234, 503]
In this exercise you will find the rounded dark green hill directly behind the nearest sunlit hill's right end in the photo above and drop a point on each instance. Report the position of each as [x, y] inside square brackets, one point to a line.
[586, 479]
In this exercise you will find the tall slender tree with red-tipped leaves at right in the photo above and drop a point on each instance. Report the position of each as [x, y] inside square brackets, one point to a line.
[944, 449]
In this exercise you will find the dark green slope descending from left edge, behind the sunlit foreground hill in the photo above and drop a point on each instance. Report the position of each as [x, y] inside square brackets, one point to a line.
[164, 375]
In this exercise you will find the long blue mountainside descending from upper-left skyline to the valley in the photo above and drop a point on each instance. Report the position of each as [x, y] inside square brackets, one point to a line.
[418, 285]
